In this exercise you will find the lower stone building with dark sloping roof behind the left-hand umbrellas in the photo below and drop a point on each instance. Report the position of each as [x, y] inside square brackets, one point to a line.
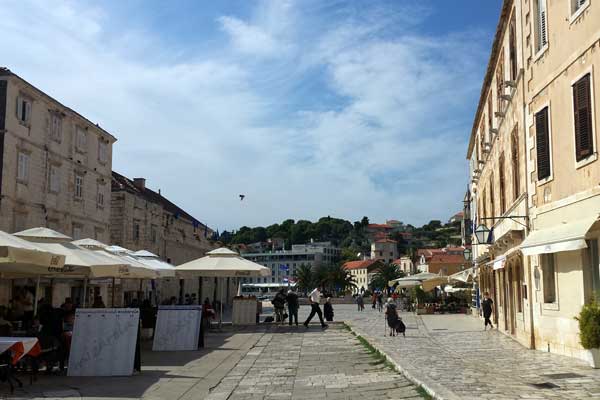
[142, 219]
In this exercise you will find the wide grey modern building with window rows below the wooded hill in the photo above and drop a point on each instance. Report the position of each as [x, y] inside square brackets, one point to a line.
[285, 263]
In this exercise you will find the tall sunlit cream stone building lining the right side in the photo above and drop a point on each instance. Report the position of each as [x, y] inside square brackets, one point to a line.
[534, 171]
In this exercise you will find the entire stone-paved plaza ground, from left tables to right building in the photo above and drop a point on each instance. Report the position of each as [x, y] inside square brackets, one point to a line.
[450, 355]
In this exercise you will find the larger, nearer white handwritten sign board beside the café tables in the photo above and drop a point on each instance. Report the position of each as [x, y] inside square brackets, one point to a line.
[104, 341]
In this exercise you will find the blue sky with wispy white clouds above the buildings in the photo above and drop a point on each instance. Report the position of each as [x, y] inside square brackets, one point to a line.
[309, 107]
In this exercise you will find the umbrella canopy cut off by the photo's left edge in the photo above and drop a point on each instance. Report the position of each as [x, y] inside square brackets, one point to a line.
[19, 257]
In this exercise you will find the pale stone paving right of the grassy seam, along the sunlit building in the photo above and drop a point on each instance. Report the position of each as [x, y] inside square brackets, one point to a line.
[464, 362]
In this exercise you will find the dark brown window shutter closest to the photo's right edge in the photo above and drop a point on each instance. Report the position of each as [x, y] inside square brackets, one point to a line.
[582, 109]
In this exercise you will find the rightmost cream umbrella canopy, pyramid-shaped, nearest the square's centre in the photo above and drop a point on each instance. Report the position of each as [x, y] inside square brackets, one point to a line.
[221, 263]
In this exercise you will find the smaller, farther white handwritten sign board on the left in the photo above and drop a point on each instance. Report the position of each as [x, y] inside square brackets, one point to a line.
[177, 328]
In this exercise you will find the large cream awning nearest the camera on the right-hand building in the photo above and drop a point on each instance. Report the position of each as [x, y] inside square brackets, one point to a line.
[563, 237]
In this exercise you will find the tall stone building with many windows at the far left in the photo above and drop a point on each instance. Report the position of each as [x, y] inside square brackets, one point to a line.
[55, 172]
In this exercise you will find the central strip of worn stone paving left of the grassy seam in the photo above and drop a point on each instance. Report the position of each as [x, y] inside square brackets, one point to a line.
[298, 363]
